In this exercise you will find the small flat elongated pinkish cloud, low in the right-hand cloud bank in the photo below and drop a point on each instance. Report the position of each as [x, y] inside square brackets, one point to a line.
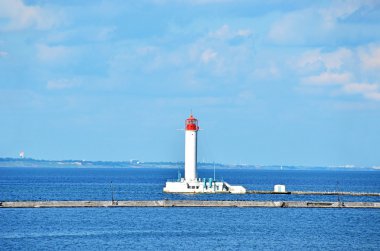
[327, 78]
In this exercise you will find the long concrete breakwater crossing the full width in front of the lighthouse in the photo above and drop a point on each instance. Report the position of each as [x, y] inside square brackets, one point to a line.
[188, 203]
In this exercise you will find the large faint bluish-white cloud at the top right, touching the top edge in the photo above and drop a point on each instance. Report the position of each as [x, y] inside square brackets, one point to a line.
[317, 24]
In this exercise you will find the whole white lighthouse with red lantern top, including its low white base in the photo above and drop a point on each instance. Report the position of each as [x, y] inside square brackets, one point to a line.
[192, 183]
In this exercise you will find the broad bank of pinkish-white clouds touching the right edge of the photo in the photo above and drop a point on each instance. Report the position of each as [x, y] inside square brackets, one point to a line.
[343, 72]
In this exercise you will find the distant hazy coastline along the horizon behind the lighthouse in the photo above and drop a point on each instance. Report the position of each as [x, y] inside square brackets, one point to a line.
[36, 163]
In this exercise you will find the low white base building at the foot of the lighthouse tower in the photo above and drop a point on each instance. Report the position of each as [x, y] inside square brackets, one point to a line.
[202, 186]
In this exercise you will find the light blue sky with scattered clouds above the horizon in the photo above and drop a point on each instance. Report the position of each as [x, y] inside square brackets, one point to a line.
[271, 82]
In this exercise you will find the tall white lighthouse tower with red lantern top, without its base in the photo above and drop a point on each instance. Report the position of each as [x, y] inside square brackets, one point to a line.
[191, 131]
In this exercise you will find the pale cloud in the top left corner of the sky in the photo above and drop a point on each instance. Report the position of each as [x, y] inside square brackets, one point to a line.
[19, 16]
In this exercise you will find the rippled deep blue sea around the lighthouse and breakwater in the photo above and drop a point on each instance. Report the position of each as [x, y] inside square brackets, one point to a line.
[183, 228]
